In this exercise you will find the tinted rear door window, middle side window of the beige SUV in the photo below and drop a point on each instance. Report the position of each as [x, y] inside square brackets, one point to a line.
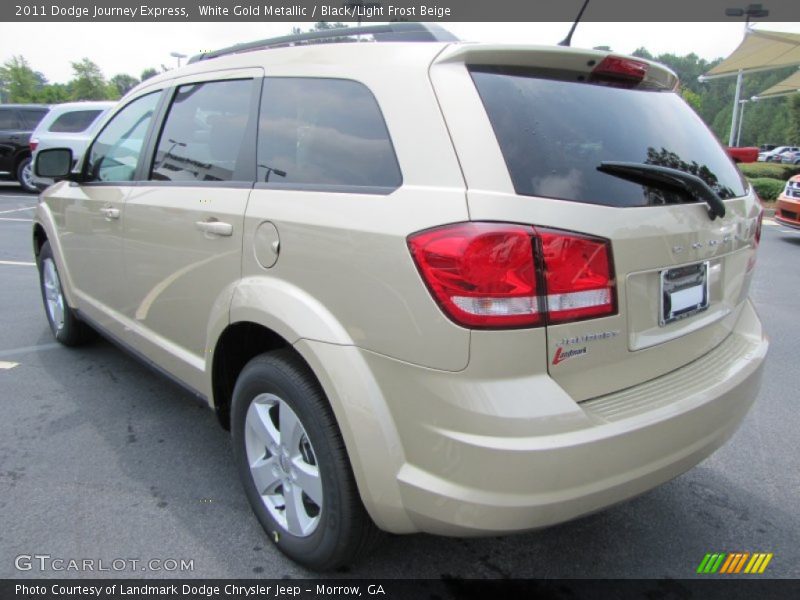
[202, 136]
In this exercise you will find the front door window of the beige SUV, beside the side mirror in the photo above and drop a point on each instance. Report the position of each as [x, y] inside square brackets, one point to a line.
[115, 153]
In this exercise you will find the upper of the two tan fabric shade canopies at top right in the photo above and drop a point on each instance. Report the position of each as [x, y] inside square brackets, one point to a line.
[760, 50]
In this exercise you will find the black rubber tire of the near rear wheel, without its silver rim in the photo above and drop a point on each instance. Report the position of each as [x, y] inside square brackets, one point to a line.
[344, 531]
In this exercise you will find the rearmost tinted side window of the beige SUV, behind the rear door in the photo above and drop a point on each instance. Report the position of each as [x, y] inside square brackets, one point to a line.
[323, 132]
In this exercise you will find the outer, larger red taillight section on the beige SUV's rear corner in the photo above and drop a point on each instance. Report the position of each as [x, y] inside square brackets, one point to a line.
[482, 274]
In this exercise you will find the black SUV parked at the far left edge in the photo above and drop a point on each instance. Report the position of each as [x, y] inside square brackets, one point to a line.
[17, 122]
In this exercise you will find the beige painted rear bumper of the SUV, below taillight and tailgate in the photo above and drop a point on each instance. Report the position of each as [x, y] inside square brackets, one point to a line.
[466, 455]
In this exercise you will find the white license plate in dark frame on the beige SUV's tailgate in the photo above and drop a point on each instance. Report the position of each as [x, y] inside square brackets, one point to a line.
[684, 292]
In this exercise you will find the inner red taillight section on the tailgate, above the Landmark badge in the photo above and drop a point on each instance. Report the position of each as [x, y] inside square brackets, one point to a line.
[578, 276]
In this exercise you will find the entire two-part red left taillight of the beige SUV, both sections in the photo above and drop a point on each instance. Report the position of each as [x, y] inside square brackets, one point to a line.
[496, 275]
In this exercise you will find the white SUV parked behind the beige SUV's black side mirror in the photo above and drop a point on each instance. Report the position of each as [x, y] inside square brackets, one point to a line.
[69, 125]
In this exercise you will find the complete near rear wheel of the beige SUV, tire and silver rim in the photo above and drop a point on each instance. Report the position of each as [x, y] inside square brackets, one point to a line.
[286, 437]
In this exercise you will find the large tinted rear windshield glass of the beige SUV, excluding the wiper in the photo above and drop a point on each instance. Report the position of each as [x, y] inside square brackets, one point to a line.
[554, 133]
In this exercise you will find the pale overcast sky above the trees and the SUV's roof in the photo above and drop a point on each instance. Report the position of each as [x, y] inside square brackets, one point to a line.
[132, 47]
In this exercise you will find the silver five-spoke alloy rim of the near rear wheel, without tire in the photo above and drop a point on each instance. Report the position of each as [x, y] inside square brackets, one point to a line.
[283, 465]
